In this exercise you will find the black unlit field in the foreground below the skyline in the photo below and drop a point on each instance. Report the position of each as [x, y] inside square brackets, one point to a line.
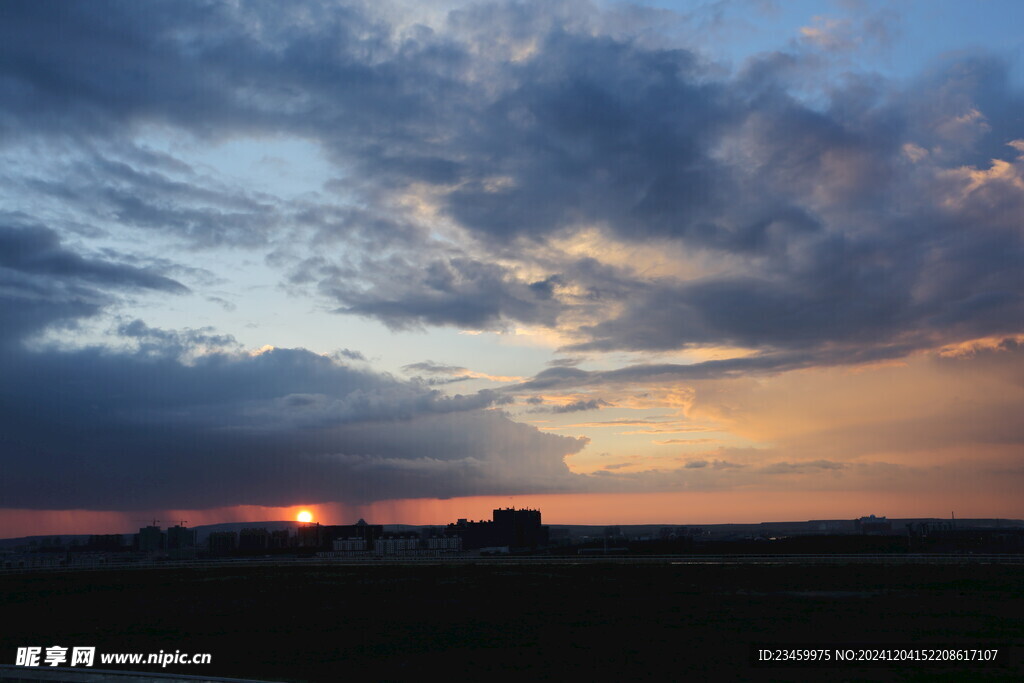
[609, 623]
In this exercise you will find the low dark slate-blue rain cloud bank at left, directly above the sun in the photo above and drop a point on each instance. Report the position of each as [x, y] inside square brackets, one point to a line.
[95, 430]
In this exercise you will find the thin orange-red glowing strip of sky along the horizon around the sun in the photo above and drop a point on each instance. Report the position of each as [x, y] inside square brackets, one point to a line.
[684, 508]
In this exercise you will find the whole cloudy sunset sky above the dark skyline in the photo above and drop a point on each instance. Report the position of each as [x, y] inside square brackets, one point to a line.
[659, 263]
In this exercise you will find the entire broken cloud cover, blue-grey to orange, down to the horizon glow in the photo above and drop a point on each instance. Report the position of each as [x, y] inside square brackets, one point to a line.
[543, 165]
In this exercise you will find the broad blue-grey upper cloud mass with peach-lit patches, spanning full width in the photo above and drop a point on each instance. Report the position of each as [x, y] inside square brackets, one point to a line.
[870, 215]
